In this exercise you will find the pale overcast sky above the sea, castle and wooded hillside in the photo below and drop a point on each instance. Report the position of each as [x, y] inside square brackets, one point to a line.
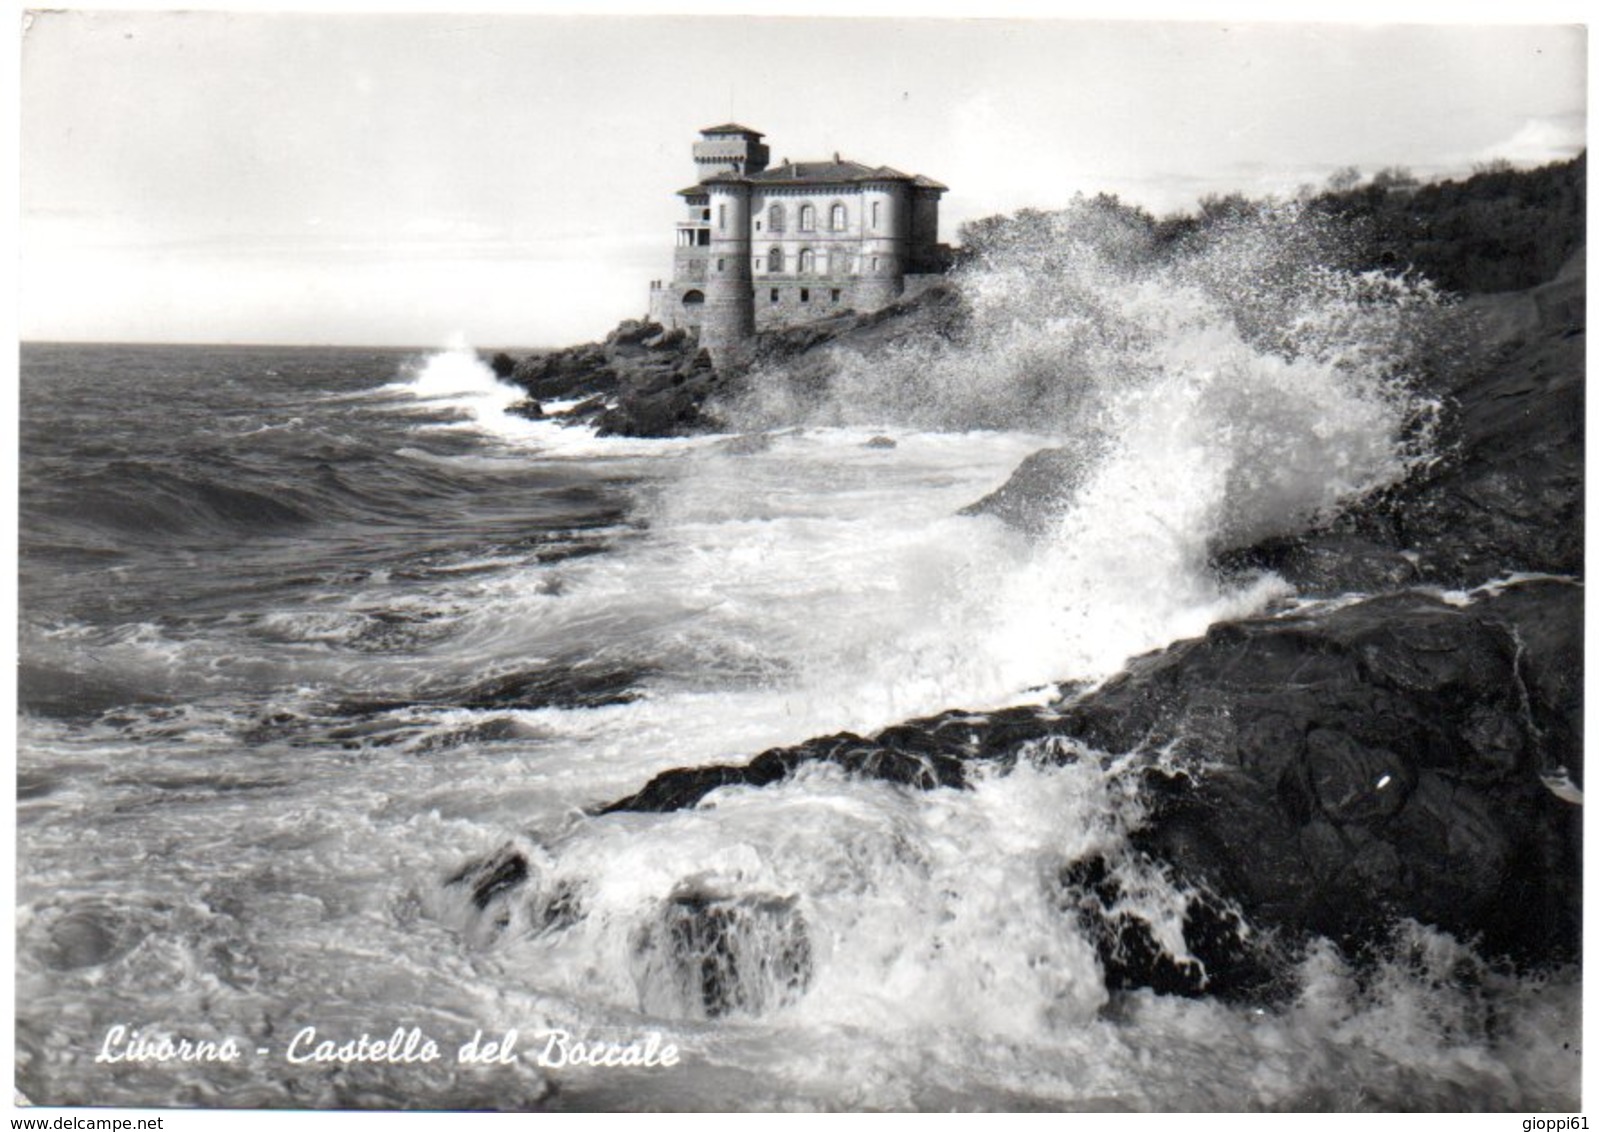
[509, 178]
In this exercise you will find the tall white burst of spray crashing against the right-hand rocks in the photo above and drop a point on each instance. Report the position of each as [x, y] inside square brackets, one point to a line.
[1206, 397]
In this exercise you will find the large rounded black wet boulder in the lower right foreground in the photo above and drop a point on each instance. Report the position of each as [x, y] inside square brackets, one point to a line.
[1378, 762]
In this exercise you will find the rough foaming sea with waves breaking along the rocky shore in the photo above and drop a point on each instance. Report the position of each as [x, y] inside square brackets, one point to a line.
[306, 634]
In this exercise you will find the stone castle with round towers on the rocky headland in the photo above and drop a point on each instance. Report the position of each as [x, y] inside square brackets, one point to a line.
[775, 247]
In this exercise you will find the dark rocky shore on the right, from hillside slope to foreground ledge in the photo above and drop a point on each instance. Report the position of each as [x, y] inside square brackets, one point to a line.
[1408, 755]
